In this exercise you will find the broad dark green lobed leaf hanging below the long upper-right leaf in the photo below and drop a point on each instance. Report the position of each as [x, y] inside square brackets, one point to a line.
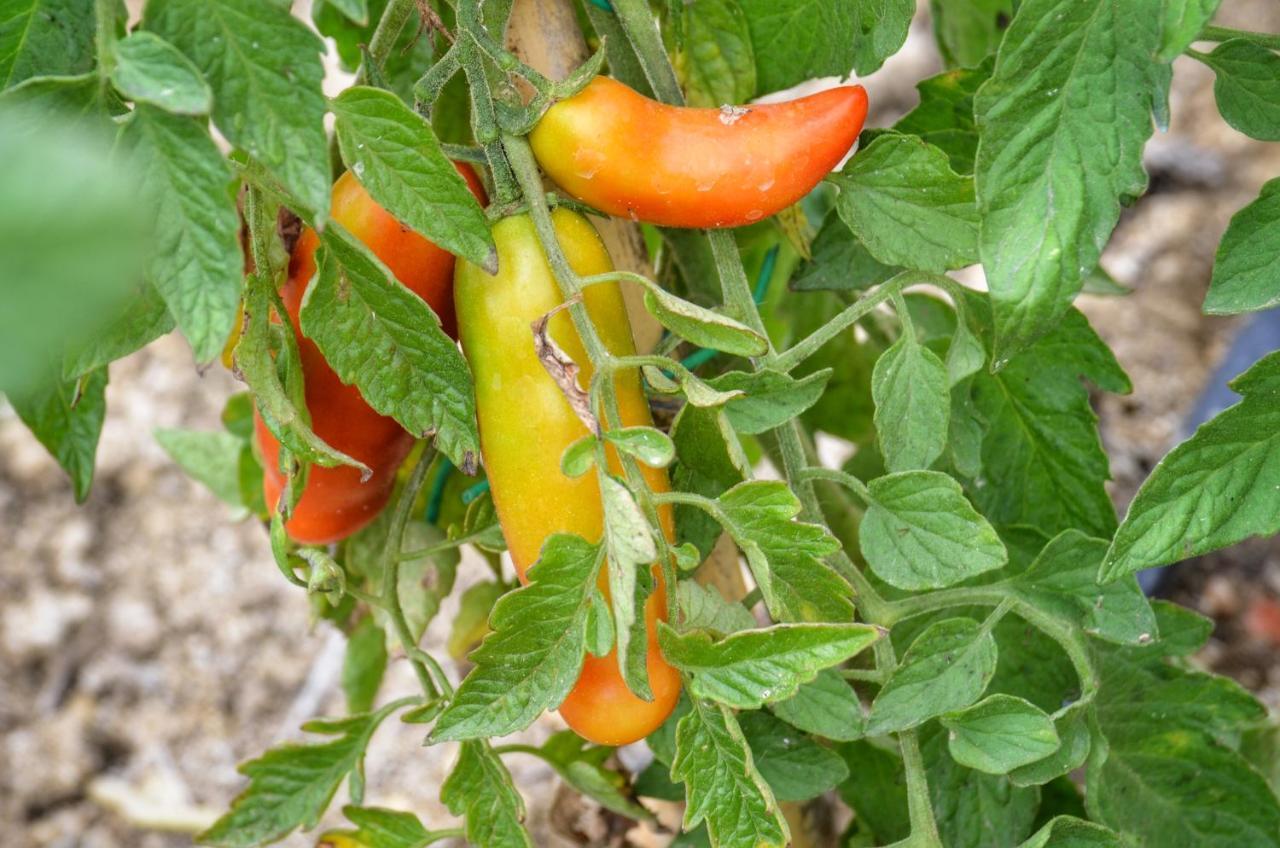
[1040, 436]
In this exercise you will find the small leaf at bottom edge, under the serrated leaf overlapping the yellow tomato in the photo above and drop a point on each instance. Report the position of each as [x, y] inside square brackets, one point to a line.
[479, 788]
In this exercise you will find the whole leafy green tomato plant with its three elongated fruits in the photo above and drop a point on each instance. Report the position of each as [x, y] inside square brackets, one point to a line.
[940, 636]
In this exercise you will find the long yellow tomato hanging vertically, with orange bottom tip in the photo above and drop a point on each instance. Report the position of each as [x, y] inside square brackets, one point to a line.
[527, 423]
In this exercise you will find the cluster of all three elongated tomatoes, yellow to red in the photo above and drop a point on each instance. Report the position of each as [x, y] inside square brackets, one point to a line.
[697, 168]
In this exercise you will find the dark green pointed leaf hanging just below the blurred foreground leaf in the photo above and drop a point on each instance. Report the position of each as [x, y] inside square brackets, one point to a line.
[67, 418]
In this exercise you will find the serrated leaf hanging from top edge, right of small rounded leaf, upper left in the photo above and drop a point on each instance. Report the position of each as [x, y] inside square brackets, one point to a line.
[264, 69]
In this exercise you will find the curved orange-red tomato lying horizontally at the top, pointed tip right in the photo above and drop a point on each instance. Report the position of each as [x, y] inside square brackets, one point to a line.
[678, 167]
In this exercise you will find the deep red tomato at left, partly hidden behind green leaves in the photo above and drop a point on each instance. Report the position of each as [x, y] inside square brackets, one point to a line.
[336, 503]
